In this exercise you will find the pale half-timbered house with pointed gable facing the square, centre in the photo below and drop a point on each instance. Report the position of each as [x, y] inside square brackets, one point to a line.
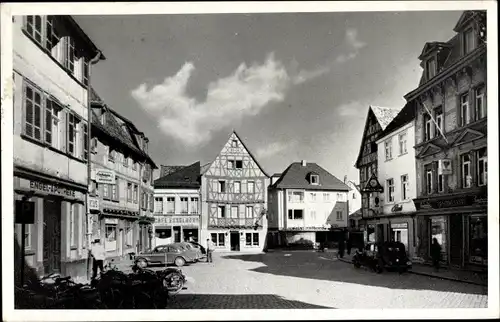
[234, 194]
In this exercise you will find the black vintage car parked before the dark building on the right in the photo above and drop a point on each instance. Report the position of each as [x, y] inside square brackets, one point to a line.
[386, 255]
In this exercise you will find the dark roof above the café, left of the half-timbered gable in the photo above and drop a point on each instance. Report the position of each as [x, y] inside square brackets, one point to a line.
[185, 177]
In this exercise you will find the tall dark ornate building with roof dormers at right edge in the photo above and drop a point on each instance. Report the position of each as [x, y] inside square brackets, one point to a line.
[451, 145]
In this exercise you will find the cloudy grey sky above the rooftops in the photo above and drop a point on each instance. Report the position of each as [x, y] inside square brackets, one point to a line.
[294, 86]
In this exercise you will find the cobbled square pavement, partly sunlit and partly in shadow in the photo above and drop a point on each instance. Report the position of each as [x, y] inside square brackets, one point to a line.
[306, 279]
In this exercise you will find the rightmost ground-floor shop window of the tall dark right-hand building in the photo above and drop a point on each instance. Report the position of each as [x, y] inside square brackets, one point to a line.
[478, 239]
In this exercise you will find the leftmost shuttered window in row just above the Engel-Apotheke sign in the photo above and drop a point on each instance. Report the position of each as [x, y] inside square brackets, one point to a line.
[33, 115]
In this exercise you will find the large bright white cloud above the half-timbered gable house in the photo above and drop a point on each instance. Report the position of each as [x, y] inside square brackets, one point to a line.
[245, 92]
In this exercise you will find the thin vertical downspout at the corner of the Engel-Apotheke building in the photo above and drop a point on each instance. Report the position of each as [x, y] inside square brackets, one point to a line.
[89, 156]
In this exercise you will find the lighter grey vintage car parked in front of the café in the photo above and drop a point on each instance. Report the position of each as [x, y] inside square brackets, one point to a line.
[164, 255]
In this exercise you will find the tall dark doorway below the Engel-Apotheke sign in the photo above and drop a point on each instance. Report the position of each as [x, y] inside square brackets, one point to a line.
[52, 236]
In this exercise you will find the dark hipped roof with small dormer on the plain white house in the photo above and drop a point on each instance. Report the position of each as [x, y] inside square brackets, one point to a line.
[295, 177]
